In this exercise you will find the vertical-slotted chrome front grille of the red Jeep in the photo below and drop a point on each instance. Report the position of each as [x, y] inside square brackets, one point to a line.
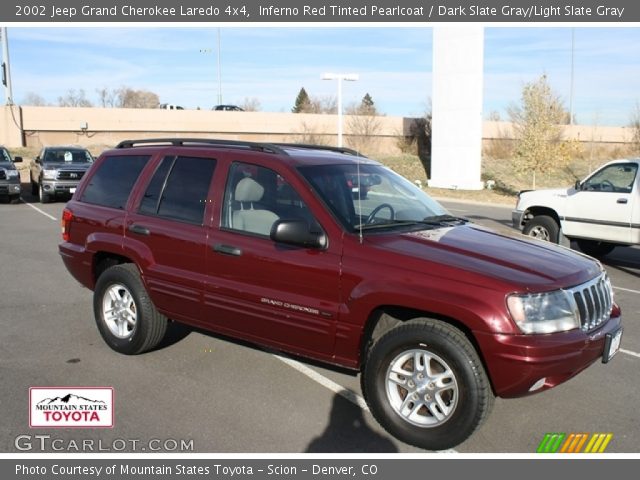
[594, 300]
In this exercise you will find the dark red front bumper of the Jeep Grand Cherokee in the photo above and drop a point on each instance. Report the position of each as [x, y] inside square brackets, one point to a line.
[520, 365]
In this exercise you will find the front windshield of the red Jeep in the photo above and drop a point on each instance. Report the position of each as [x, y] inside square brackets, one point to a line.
[371, 196]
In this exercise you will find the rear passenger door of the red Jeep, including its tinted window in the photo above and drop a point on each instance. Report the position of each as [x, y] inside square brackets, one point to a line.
[168, 223]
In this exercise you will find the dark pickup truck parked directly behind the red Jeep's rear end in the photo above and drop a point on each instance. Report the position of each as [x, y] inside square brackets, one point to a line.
[57, 170]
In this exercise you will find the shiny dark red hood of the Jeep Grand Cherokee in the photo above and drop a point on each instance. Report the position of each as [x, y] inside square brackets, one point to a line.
[516, 261]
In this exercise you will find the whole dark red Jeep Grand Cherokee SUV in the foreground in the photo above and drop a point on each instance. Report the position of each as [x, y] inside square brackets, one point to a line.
[268, 243]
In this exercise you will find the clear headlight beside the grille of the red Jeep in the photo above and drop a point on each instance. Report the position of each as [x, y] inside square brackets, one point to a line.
[544, 312]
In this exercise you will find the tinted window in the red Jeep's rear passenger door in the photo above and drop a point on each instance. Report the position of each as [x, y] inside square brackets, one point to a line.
[179, 188]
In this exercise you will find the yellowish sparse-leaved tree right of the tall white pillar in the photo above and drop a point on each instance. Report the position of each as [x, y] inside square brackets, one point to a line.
[537, 129]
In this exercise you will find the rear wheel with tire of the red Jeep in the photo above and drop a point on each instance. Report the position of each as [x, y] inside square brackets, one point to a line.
[127, 319]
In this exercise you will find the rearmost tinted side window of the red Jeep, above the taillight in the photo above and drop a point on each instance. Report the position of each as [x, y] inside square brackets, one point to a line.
[111, 184]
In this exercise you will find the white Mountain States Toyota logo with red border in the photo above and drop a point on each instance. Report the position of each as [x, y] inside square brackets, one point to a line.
[71, 407]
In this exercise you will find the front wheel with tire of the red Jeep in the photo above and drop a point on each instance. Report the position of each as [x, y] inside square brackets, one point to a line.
[425, 384]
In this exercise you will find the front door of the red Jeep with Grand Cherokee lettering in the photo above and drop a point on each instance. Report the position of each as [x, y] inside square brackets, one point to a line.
[258, 289]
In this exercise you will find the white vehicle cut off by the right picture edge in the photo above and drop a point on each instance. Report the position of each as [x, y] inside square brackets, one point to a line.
[599, 213]
